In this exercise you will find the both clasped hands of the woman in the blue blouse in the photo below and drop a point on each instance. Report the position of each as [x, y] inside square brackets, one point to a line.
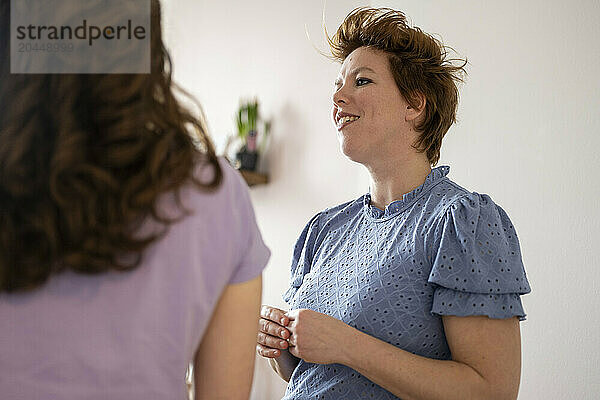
[307, 334]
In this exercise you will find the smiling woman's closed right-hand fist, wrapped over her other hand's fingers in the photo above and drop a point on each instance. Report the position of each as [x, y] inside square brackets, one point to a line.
[316, 337]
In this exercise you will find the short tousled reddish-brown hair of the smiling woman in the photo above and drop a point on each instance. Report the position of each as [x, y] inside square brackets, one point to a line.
[419, 63]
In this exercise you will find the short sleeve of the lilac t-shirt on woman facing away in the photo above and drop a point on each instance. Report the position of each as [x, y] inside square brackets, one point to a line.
[254, 254]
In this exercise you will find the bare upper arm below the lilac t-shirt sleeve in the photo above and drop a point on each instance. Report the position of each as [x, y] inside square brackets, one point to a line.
[224, 362]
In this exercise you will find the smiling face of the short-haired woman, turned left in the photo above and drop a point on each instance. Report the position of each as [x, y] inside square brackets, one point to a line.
[372, 118]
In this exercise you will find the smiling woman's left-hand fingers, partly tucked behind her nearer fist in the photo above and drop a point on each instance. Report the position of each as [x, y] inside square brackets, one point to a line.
[272, 332]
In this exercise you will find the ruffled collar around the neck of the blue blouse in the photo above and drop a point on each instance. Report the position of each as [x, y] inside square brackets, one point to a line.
[397, 206]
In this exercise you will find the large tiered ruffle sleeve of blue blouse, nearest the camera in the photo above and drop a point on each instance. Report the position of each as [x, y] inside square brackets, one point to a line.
[477, 266]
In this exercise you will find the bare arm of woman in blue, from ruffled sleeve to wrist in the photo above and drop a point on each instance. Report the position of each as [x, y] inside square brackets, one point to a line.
[486, 362]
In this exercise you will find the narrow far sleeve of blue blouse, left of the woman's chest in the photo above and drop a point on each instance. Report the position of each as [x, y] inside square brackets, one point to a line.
[302, 257]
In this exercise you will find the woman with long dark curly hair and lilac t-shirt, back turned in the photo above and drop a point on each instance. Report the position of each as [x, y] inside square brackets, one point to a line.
[121, 234]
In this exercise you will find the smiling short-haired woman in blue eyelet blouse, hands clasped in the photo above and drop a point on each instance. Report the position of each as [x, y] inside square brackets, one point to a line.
[412, 290]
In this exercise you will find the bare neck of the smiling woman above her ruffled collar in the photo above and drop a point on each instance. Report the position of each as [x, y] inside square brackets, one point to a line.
[391, 180]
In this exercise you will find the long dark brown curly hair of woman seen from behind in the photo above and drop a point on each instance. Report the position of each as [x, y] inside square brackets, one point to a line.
[83, 161]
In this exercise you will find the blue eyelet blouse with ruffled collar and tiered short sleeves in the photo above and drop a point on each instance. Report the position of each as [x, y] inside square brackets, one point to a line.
[392, 274]
